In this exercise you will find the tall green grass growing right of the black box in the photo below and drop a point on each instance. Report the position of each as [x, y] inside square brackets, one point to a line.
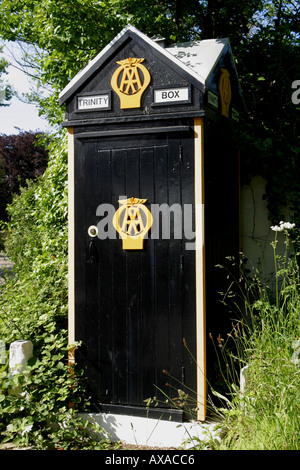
[264, 415]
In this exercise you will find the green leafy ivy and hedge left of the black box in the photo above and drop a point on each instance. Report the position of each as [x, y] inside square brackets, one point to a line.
[34, 307]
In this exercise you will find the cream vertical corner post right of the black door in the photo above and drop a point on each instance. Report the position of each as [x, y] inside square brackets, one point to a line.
[200, 268]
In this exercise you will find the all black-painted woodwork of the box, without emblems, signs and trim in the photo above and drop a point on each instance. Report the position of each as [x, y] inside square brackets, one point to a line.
[133, 309]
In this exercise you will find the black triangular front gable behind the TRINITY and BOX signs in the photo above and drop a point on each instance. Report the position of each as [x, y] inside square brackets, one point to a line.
[163, 72]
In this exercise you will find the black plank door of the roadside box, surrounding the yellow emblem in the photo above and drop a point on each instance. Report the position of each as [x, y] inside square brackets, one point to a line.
[133, 307]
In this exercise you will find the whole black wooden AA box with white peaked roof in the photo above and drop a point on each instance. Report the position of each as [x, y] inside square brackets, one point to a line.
[152, 173]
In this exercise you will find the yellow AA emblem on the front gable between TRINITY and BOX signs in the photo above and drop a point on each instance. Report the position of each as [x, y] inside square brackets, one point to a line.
[129, 81]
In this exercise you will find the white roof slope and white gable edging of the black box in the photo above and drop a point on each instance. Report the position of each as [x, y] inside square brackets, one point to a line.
[211, 50]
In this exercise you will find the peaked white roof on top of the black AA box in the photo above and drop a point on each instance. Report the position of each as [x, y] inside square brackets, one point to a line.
[195, 58]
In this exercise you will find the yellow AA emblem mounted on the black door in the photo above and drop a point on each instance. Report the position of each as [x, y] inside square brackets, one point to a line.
[132, 221]
